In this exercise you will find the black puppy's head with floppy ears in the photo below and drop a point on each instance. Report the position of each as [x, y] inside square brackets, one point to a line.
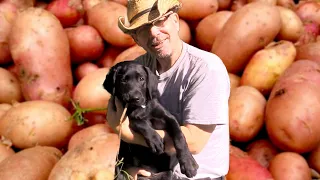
[131, 83]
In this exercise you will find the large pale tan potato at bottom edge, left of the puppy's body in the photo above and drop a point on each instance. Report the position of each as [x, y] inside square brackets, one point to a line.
[93, 158]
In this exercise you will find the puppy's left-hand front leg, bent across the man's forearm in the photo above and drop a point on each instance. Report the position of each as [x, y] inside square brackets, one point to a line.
[152, 138]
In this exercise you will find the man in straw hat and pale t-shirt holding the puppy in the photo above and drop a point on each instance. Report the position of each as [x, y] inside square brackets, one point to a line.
[193, 84]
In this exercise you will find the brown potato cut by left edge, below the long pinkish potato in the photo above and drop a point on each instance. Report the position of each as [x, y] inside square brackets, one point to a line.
[10, 87]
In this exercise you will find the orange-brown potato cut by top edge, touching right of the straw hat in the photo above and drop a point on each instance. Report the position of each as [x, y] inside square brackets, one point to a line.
[193, 10]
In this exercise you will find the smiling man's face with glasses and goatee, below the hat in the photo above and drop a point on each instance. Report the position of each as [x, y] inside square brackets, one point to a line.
[159, 37]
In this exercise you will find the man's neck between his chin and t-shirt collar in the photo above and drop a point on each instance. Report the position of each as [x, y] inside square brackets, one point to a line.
[165, 64]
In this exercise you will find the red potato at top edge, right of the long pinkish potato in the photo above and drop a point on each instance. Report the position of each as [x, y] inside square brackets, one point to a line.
[69, 12]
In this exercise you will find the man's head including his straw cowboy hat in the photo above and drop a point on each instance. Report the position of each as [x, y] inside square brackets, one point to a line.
[153, 24]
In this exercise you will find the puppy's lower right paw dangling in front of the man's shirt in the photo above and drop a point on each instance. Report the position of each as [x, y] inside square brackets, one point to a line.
[188, 165]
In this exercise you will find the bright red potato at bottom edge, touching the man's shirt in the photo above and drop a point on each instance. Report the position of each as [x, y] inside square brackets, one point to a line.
[244, 167]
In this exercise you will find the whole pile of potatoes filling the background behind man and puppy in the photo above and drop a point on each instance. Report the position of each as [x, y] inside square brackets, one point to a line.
[54, 55]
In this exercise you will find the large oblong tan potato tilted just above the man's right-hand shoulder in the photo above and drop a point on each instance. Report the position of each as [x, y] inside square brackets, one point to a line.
[248, 30]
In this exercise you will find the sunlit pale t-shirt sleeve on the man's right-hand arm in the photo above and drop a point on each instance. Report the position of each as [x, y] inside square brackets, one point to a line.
[206, 99]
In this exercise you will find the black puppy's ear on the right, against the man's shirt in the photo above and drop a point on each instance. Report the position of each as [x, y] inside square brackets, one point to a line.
[152, 83]
